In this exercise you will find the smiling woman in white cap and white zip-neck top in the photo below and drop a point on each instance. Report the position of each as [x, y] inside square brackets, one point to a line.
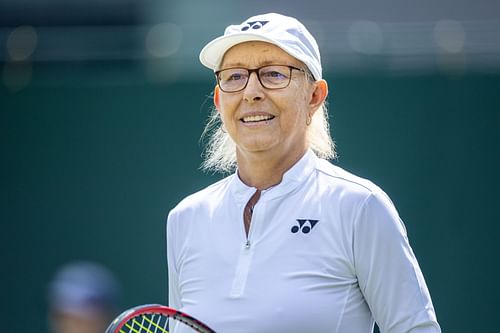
[289, 242]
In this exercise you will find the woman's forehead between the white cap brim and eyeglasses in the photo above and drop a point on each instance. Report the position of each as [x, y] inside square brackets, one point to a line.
[255, 54]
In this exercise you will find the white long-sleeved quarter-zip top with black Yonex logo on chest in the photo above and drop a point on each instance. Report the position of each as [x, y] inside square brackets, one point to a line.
[326, 252]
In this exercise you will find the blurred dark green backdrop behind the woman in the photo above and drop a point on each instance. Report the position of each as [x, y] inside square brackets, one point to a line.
[95, 152]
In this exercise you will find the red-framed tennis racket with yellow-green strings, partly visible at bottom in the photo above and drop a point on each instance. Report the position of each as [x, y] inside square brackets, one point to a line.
[153, 318]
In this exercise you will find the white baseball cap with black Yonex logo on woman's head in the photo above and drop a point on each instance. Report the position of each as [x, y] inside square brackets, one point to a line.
[283, 31]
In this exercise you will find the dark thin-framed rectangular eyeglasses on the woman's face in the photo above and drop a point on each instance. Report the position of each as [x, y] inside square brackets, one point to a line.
[270, 77]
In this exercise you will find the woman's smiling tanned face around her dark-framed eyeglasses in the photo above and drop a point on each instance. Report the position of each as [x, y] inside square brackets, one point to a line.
[260, 120]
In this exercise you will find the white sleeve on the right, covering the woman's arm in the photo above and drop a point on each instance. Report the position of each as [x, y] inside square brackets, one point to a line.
[388, 273]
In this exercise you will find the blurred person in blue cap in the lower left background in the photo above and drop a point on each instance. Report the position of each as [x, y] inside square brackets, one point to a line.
[83, 298]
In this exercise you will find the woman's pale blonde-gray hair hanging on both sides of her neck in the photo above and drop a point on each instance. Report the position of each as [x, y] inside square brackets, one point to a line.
[220, 151]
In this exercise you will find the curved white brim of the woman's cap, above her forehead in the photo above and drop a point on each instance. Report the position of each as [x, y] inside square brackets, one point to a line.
[211, 55]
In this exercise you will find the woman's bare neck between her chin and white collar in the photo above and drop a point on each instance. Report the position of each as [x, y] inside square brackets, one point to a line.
[263, 170]
